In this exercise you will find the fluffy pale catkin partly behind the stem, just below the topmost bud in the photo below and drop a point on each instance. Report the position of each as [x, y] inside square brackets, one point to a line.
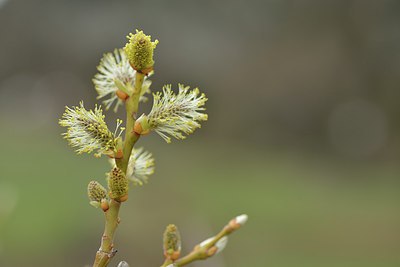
[115, 79]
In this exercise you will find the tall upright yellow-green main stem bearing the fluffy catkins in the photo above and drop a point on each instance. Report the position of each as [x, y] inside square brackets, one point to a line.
[106, 251]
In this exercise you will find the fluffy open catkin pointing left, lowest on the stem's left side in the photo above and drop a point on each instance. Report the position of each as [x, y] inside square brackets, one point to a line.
[87, 130]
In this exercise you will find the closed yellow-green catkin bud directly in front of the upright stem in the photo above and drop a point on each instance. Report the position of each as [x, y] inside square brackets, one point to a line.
[118, 185]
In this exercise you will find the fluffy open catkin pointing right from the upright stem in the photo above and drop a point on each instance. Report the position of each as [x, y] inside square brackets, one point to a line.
[177, 114]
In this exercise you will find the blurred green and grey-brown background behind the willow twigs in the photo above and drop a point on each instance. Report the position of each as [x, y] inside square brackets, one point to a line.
[303, 132]
